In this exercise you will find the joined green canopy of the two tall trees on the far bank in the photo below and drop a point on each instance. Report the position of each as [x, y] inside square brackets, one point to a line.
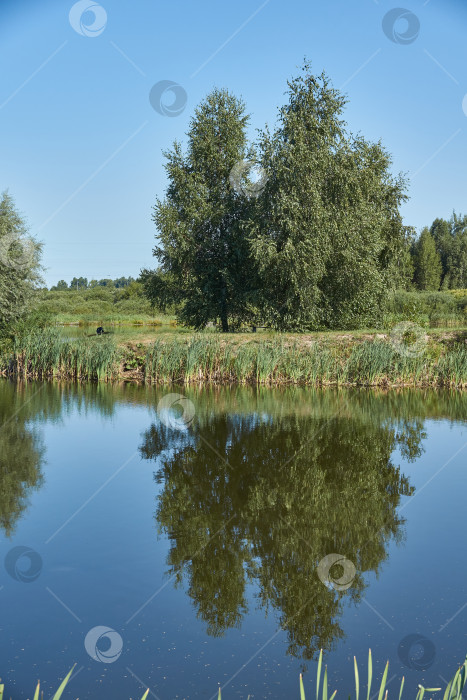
[317, 243]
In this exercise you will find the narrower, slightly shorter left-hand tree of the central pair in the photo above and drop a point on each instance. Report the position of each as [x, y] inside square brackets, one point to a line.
[202, 248]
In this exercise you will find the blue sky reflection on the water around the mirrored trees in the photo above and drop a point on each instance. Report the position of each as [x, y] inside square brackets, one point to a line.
[93, 524]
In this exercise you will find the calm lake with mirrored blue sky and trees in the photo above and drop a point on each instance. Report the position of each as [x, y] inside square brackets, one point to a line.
[184, 539]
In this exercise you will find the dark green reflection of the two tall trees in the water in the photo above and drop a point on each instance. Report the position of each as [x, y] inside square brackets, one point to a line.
[253, 499]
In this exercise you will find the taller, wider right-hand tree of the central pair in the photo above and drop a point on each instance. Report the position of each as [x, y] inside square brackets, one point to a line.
[327, 232]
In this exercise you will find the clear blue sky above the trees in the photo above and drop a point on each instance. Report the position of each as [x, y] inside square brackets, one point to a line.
[81, 144]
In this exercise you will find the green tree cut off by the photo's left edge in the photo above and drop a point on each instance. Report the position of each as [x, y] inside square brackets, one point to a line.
[19, 264]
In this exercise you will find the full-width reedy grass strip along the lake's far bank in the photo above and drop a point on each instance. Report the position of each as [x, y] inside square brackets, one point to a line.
[210, 358]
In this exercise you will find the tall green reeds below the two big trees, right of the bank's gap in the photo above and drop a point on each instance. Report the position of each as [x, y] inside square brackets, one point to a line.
[204, 358]
